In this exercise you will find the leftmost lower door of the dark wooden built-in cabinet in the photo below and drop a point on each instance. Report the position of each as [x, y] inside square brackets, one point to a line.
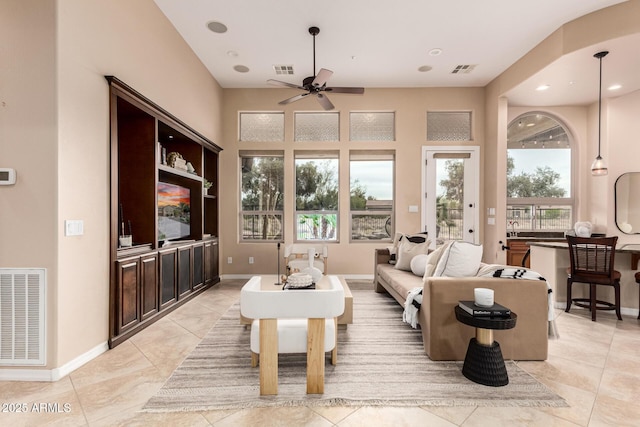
[128, 311]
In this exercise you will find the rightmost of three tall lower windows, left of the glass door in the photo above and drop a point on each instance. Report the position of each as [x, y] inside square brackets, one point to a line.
[371, 176]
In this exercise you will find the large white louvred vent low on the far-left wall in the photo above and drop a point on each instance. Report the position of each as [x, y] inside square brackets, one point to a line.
[22, 317]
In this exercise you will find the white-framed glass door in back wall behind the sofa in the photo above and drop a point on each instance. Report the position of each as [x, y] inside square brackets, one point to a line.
[451, 187]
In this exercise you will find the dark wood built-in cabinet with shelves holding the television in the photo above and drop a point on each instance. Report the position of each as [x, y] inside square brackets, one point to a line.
[164, 224]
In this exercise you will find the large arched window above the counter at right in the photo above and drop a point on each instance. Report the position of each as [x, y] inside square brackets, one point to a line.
[539, 176]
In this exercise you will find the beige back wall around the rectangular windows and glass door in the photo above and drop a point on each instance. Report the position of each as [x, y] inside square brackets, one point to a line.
[410, 106]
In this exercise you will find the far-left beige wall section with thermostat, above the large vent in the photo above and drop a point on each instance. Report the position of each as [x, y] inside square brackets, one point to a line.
[28, 142]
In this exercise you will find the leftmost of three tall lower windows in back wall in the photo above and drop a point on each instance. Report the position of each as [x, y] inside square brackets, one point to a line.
[261, 196]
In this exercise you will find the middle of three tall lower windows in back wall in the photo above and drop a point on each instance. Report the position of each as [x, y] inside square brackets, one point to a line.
[316, 196]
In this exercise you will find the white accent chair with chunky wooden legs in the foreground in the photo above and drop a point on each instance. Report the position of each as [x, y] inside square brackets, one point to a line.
[292, 321]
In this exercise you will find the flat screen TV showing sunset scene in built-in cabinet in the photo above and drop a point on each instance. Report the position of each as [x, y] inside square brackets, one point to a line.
[174, 212]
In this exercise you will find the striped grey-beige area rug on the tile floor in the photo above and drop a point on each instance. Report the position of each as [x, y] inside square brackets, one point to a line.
[381, 362]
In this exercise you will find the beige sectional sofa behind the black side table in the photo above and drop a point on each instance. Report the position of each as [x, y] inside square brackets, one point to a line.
[447, 339]
